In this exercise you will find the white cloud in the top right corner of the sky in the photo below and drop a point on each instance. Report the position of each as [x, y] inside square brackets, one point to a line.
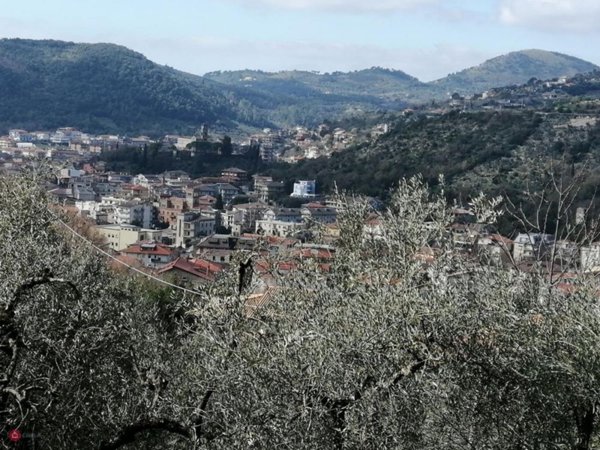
[552, 15]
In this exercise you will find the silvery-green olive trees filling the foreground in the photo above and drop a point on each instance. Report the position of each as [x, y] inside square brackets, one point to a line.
[384, 351]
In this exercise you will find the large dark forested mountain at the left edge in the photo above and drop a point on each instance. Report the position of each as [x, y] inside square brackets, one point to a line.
[101, 87]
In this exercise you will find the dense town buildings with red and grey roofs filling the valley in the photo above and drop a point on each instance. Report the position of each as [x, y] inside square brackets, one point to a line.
[190, 230]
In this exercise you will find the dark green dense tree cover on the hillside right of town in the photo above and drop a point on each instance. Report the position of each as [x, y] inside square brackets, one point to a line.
[453, 144]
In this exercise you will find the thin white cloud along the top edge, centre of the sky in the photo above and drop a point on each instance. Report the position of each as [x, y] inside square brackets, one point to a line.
[350, 6]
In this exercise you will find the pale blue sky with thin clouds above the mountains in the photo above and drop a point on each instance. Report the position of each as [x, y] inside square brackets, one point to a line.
[425, 38]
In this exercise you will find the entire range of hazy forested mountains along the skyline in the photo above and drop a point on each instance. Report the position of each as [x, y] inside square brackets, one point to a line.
[108, 88]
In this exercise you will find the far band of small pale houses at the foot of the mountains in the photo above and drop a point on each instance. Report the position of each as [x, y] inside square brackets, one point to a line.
[68, 145]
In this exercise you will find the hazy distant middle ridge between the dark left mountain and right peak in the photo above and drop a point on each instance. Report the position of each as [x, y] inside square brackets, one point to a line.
[308, 98]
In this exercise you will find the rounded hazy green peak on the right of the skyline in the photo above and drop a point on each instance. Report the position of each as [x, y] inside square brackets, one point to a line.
[513, 68]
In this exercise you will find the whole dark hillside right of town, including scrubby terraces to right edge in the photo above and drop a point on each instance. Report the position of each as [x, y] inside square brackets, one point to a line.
[492, 151]
